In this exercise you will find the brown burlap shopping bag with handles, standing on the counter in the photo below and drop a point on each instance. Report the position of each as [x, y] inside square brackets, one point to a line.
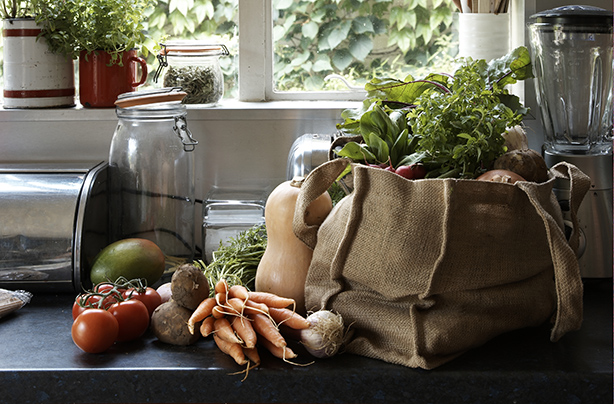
[425, 270]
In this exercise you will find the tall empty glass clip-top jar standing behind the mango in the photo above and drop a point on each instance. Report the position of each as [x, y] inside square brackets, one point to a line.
[151, 173]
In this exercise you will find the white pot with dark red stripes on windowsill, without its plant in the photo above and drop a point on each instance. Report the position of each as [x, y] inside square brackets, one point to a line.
[34, 77]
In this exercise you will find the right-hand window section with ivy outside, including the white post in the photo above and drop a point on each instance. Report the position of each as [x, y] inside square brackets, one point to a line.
[329, 49]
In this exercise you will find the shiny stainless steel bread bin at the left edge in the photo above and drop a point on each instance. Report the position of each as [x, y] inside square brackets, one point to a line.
[53, 222]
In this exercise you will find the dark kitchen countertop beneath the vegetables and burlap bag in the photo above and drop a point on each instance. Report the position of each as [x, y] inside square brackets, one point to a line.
[39, 363]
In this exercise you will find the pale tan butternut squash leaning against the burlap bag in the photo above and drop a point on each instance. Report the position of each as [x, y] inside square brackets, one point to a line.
[286, 259]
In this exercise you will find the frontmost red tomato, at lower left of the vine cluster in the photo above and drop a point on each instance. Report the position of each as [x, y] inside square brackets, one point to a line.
[95, 330]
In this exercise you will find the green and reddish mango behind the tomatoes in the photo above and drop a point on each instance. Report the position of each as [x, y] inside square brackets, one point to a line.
[131, 258]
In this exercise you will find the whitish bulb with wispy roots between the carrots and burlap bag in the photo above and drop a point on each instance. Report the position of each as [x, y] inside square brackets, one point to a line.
[325, 334]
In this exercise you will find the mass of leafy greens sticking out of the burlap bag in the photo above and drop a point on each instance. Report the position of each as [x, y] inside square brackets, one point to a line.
[451, 124]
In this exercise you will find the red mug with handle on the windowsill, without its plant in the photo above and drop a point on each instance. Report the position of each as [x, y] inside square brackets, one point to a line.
[100, 82]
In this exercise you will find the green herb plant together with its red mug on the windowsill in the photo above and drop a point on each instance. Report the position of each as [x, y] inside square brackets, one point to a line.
[105, 36]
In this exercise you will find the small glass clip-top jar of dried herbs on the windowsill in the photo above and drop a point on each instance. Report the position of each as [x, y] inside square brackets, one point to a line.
[195, 67]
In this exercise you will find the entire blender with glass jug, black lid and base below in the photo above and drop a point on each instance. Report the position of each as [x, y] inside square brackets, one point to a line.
[572, 62]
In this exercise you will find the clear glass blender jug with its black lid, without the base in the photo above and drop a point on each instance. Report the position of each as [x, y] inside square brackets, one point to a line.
[572, 60]
